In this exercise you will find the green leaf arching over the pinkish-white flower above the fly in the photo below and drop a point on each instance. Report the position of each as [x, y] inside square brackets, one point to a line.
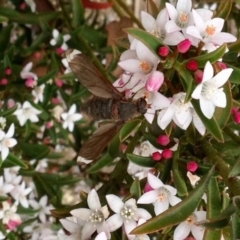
[146, 38]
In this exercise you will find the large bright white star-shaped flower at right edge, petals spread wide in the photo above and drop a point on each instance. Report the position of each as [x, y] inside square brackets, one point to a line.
[209, 93]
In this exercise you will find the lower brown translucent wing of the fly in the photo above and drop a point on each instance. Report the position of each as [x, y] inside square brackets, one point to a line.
[93, 147]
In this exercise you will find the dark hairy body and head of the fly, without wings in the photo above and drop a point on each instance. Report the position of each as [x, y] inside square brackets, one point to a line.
[101, 108]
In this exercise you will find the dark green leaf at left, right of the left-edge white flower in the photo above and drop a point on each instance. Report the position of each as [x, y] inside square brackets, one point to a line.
[31, 150]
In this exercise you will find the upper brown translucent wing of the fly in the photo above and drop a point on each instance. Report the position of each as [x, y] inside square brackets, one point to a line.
[91, 78]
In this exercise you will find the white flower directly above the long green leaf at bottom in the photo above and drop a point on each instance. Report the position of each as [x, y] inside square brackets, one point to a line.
[161, 196]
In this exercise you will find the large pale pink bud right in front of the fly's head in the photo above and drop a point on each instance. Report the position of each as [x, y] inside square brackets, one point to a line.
[154, 81]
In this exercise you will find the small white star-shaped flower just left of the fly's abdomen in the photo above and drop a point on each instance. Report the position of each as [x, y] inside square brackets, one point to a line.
[70, 117]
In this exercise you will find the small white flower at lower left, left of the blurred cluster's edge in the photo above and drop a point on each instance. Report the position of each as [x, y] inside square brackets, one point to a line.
[19, 193]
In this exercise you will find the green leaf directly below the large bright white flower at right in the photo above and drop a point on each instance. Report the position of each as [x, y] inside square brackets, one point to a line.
[210, 124]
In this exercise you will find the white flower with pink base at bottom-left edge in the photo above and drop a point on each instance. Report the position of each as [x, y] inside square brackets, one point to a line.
[8, 213]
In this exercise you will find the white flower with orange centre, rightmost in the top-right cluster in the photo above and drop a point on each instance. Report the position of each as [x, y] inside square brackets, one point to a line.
[209, 31]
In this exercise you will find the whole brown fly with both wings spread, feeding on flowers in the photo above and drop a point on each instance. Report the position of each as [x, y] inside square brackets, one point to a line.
[107, 103]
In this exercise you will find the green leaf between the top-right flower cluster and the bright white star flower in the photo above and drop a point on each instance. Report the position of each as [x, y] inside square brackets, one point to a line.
[211, 57]
